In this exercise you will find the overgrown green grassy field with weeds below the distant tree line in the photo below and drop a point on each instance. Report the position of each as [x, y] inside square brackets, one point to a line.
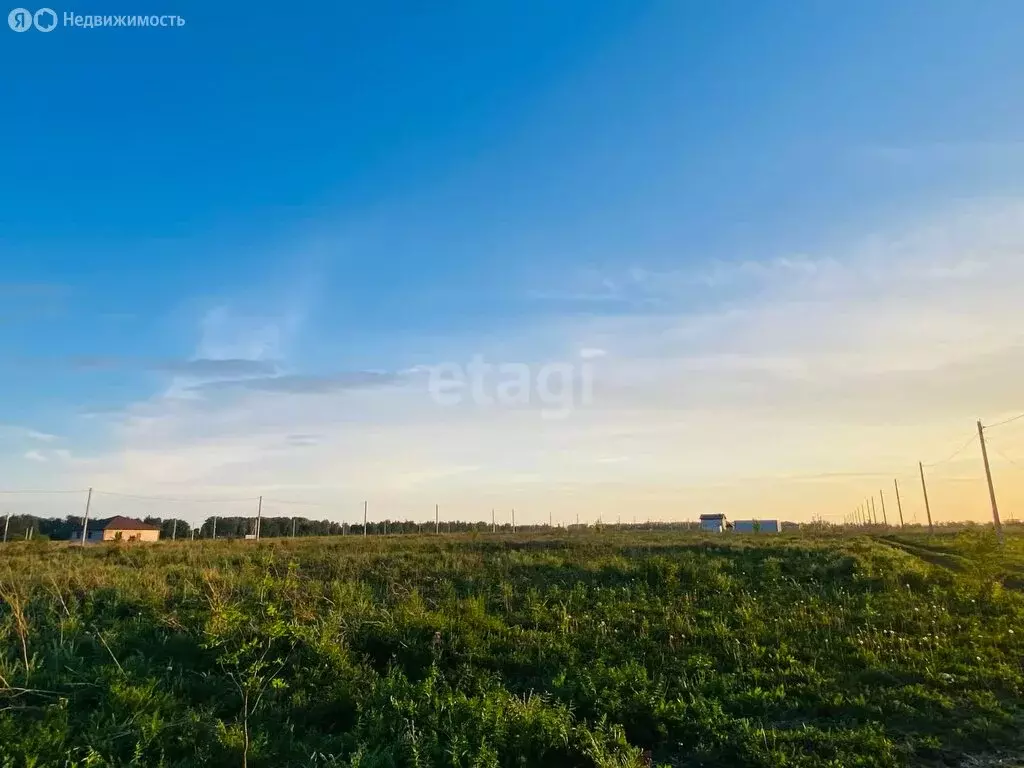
[591, 650]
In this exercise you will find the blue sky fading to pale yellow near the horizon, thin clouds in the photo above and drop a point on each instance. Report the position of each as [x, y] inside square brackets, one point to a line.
[621, 261]
